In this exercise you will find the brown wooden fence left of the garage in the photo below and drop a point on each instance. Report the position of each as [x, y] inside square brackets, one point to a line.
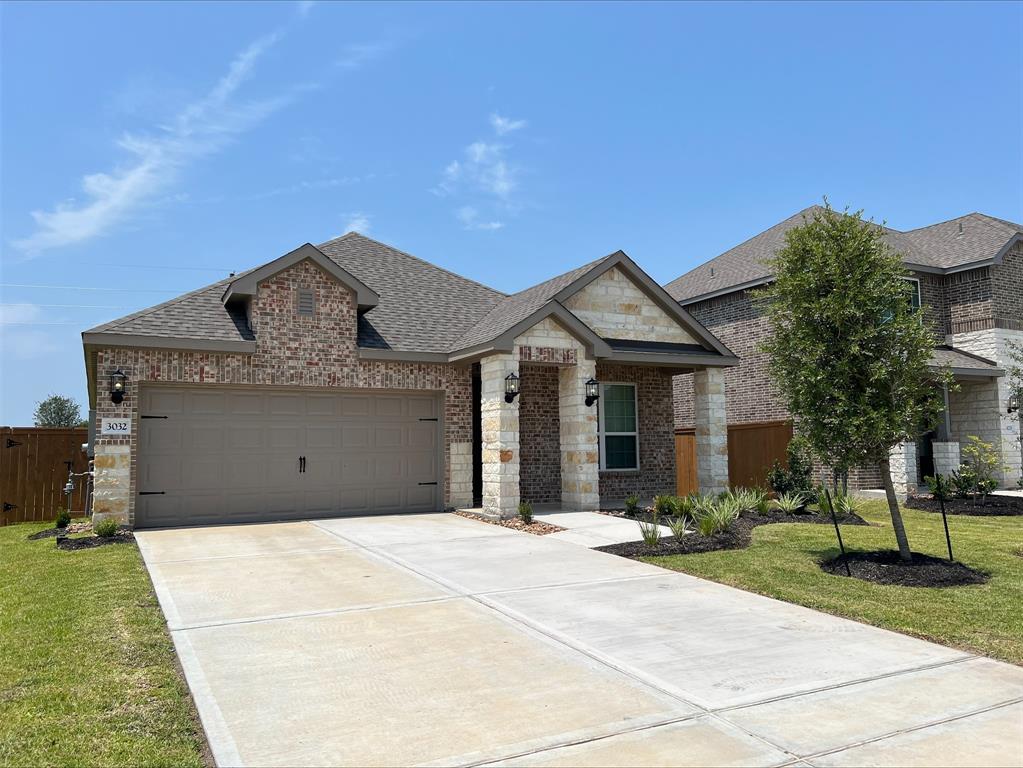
[34, 466]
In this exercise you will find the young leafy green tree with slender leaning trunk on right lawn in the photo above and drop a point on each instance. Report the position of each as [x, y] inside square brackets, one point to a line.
[849, 352]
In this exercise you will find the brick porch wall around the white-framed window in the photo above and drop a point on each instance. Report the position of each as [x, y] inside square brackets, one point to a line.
[657, 435]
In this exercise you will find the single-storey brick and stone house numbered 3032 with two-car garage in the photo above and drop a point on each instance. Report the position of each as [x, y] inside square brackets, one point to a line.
[354, 379]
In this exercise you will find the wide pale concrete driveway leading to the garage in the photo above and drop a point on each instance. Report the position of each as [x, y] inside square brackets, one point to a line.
[439, 641]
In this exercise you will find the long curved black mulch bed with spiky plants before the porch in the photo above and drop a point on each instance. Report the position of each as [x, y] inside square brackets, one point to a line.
[737, 537]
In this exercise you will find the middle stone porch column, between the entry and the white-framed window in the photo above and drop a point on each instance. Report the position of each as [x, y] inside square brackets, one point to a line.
[581, 454]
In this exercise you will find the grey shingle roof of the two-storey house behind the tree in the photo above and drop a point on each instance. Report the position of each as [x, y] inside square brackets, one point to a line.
[940, 246]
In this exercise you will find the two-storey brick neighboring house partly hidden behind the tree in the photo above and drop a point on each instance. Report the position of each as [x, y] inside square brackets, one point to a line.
[968, 277]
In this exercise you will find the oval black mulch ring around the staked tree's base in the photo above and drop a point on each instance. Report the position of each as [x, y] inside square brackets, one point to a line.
[887, 568]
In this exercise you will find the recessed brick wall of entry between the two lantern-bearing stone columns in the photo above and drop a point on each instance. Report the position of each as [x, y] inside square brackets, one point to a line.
[540, 435]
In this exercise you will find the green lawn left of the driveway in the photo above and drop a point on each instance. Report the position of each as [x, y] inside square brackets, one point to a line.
[88, 673]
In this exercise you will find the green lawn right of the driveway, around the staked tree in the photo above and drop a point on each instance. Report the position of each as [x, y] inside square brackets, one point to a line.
[782, 563]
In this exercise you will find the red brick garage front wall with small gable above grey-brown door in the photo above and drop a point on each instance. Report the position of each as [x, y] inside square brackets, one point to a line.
[291, 352]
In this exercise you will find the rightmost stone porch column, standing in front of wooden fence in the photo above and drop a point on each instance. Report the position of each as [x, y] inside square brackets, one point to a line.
[711, 423]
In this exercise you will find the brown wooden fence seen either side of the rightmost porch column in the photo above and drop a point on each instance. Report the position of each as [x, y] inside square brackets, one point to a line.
[752, 450]
